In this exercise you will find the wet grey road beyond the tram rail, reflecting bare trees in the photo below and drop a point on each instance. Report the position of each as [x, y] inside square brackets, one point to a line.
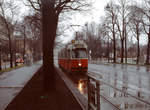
[134, 78]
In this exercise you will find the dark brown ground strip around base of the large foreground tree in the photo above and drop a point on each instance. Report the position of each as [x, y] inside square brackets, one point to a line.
[32, 96]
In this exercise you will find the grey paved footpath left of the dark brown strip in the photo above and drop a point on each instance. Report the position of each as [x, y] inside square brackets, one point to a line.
[11, 83]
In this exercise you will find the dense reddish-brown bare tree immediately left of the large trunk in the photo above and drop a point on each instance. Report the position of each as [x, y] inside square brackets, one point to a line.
[34, 30]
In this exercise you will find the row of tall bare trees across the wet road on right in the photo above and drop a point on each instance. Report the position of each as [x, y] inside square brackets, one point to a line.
[120, 31]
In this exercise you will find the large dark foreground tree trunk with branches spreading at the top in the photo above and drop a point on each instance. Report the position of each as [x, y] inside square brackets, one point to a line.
[51, 10]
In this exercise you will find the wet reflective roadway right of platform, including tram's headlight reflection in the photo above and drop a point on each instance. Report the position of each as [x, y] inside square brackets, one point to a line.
[131, 79]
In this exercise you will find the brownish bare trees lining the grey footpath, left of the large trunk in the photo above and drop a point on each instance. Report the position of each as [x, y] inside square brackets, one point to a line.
[28, 29]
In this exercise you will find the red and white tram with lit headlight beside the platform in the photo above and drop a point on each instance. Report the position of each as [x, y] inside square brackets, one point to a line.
[73, 58]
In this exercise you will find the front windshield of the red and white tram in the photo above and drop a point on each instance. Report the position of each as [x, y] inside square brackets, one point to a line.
[79, 54]
